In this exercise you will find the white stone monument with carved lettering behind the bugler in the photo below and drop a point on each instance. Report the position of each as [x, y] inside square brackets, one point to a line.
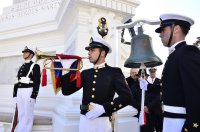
[63, 26]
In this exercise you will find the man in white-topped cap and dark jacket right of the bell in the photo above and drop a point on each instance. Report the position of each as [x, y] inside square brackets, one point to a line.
[180, 77]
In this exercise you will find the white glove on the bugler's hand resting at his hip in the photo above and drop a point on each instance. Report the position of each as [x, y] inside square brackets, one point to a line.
[95, 112]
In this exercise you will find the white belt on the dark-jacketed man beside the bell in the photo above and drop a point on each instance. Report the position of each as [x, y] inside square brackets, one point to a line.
[174, 109]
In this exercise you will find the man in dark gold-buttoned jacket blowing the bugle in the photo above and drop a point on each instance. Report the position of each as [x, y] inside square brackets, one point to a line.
[100, 84]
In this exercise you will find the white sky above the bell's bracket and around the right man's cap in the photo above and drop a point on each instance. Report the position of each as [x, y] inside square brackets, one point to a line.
[152, 10]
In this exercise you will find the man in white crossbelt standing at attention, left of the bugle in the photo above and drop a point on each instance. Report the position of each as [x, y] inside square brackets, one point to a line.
[26, 90]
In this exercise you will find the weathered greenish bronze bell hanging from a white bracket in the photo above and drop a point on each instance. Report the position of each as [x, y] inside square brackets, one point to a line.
[142, 52]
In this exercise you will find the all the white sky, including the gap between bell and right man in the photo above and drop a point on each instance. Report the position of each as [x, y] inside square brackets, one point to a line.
[151, 9]
